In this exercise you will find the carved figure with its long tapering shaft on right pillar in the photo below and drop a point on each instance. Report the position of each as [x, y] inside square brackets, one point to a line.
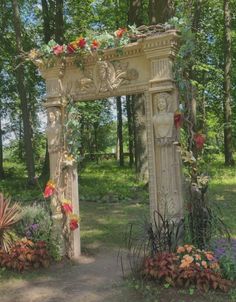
[166, 157]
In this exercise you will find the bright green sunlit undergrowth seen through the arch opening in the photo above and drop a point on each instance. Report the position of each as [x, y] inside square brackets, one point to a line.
[107, 182]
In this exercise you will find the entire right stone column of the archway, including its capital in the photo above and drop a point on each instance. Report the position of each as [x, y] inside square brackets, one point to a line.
[165, 181]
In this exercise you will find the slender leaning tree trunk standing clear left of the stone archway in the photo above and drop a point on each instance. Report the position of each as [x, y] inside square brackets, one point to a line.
[23, 98]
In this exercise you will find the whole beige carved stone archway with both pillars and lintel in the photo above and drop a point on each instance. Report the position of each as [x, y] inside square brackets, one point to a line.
[143, 67]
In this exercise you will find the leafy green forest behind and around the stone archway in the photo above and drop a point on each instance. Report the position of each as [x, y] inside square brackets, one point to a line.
[205, 74]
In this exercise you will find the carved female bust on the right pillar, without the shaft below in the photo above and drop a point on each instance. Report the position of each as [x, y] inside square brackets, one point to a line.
[163, 120]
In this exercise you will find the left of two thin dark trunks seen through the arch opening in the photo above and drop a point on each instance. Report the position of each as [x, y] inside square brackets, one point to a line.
[120, 131]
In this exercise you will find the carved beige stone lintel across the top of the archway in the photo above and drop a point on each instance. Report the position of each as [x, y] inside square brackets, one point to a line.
[140, 66]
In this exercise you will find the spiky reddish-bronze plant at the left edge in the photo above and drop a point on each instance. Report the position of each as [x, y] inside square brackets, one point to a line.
[9, 215]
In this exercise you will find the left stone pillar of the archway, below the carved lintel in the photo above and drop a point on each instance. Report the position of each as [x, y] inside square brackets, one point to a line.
[64, 173]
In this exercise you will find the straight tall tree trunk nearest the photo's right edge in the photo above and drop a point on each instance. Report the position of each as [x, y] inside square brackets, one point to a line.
[228, 145]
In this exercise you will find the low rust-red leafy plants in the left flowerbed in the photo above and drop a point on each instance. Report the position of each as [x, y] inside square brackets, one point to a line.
[25, 254]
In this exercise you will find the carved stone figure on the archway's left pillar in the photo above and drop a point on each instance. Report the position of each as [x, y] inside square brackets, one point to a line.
[54, 130]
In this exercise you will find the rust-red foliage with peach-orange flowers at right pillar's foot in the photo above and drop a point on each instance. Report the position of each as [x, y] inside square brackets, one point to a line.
[188, 266]
